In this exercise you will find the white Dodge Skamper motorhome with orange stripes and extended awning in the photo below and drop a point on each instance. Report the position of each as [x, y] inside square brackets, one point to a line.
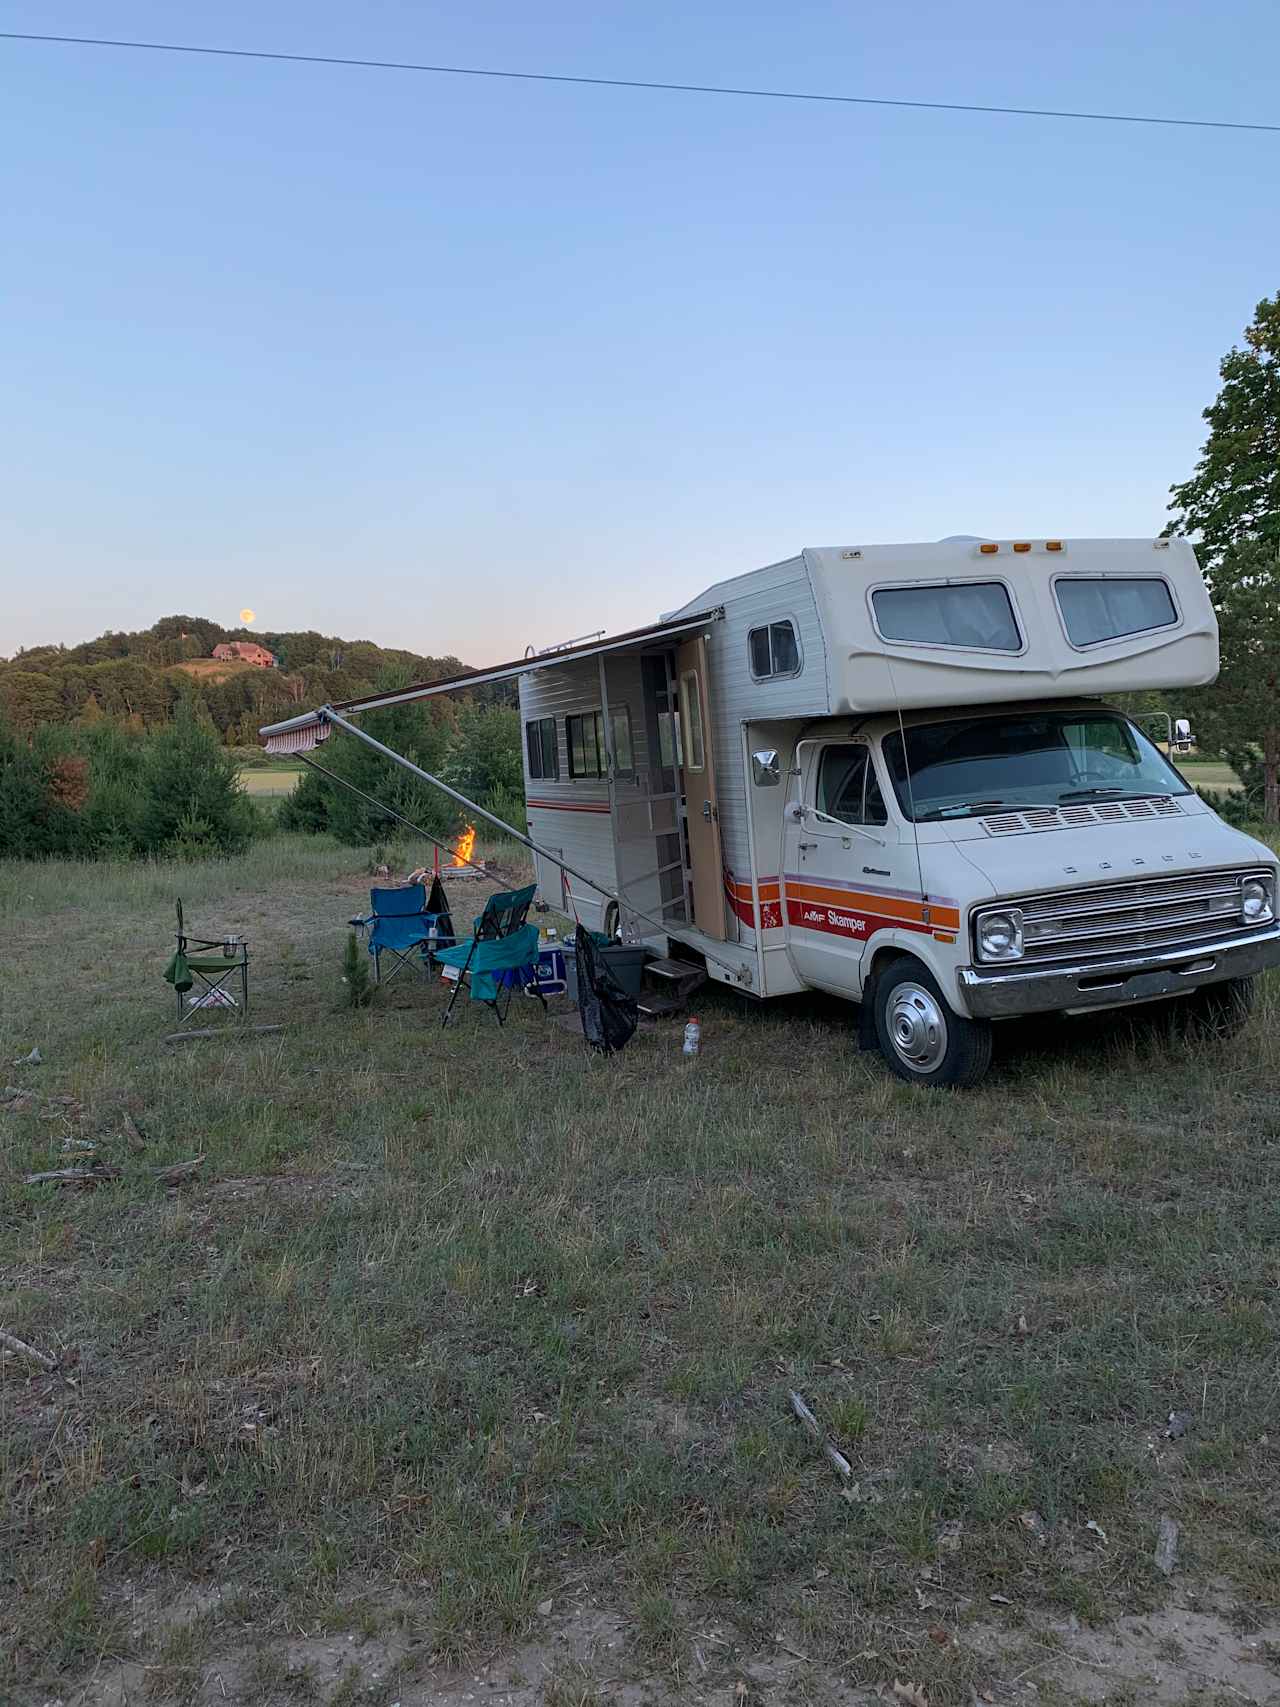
[892, 772]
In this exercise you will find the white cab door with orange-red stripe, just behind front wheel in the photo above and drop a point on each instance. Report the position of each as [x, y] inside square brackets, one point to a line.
[834, 868]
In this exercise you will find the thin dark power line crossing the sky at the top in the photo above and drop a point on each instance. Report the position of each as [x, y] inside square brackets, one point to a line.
[636, 83]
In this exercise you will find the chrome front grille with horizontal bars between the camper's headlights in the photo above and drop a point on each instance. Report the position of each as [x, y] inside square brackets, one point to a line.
[1132, 918]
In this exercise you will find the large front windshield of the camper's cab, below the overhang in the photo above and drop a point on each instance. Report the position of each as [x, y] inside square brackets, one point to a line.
[1025, 759]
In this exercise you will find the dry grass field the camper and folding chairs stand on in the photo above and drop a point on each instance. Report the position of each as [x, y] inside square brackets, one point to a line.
[460, 1368]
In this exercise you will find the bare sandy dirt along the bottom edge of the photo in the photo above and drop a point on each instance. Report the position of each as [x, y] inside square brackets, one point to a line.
[590, 1657]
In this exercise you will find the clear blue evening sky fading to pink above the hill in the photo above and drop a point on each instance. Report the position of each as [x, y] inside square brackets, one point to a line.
[468, 366]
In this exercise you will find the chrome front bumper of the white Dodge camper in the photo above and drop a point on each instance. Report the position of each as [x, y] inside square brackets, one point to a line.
[1115, 984]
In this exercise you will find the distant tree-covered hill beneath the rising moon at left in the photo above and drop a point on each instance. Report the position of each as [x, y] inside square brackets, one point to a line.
[143, 679]
